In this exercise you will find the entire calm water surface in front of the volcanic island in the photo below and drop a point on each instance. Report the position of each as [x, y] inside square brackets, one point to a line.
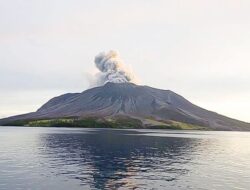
[63, 158]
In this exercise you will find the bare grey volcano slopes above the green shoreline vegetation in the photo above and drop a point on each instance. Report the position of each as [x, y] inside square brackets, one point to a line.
[133, 101]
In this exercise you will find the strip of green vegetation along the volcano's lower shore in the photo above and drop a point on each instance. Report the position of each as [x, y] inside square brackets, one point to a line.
[116, 122]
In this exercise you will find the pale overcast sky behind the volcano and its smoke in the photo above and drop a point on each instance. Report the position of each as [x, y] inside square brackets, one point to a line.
[199, 49]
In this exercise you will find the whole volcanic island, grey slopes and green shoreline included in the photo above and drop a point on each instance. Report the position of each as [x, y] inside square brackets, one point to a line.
[126, 105]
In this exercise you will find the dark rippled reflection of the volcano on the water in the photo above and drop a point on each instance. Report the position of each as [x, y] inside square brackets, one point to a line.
[112, 159]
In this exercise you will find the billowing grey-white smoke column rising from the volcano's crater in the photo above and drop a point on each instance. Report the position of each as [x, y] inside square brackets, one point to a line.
[111, 69]
